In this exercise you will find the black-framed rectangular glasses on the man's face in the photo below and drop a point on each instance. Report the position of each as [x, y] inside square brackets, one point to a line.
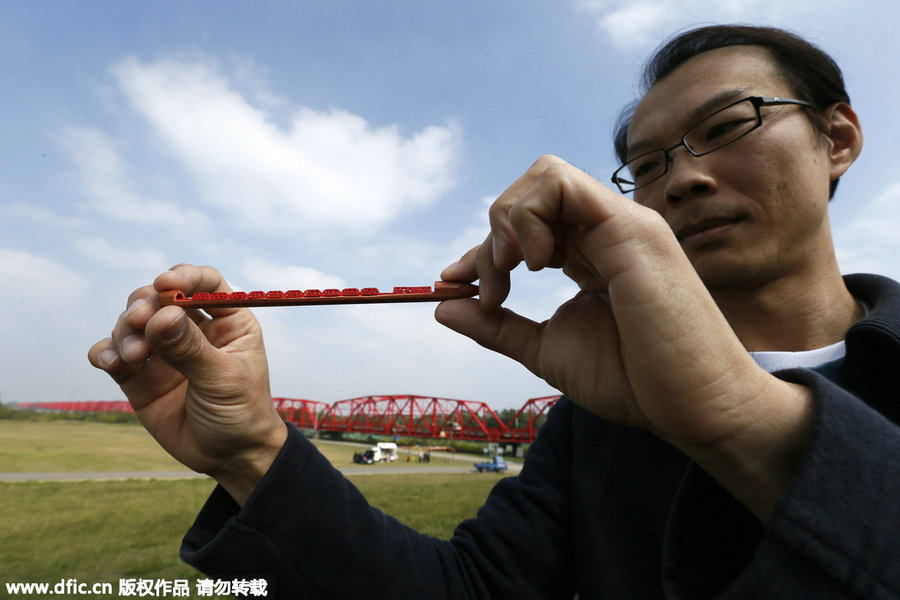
[723, 127]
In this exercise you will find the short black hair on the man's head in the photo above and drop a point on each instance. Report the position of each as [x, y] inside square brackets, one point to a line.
[812, 73]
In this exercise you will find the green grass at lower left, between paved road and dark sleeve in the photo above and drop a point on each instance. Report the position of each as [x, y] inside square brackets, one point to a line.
[96, 531]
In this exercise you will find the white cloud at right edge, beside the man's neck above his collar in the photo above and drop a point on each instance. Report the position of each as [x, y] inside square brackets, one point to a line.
[870, 243]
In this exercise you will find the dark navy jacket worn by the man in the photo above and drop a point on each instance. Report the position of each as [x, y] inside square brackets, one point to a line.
[604, 511]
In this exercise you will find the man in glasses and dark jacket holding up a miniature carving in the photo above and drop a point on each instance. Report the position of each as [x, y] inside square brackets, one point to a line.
[677, 466]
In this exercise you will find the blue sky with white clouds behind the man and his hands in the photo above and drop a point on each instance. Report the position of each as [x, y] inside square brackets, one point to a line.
[327, 144]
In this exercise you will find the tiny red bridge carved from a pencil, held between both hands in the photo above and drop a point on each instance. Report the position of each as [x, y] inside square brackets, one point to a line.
[443, 290]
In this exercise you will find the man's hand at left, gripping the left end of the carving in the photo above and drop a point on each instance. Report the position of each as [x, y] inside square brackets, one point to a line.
[198, 383]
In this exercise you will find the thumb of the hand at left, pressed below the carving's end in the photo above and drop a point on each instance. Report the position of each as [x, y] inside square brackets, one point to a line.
[176, 339]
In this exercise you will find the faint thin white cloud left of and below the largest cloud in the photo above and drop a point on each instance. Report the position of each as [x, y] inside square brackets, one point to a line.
[103, 177]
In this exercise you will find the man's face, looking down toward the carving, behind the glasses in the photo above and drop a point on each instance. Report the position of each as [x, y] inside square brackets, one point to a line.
[755, 210]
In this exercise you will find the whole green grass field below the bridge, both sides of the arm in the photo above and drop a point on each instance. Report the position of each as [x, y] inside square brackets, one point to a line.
[101, 531]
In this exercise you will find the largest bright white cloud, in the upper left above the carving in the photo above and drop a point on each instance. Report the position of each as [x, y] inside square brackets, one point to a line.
[325, 169]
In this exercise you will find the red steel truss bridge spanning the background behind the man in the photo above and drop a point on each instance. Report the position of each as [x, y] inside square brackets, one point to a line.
[402, 416]
